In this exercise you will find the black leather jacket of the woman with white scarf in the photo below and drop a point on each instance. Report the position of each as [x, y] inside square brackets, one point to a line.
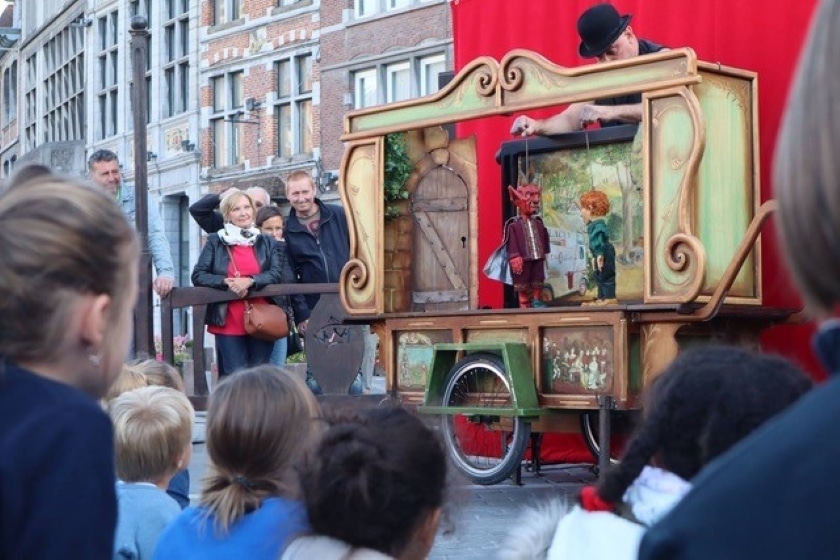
[211, 270]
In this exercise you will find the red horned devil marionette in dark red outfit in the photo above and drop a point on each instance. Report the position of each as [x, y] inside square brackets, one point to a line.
[527, 245]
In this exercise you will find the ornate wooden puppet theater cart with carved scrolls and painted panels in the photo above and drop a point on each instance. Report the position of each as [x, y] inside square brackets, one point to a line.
[688, 264]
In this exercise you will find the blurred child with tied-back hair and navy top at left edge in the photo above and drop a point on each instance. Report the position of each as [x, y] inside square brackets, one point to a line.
[68, 268]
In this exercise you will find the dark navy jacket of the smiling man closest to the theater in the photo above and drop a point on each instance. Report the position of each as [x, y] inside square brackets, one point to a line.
[317, 260]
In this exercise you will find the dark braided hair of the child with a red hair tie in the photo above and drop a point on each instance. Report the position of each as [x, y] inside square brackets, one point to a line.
[704, 402]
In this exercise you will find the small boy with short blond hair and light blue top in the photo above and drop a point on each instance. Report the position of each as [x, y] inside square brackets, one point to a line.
[152, 441]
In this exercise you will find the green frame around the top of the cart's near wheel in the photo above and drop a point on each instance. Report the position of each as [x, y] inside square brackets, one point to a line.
[517, 360]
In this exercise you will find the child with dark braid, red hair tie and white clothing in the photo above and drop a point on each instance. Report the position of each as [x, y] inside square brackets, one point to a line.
[705, 401]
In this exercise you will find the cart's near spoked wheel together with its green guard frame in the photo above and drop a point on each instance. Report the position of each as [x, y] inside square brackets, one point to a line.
[486, 398]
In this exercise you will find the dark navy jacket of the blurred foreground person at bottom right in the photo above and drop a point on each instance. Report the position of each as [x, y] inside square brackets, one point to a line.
[770, 496]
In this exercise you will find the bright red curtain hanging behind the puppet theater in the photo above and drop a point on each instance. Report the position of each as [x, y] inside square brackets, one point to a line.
[746, 35]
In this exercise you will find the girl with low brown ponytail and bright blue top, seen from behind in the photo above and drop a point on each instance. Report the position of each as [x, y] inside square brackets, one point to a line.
[260, 423]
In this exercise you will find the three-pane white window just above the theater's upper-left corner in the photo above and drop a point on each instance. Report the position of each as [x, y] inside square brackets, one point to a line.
[403, 80]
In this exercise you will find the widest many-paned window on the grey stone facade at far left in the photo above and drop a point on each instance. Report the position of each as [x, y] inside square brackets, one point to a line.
[64, 106]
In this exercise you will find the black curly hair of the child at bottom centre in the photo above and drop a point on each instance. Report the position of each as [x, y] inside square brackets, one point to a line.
[374, 479]
